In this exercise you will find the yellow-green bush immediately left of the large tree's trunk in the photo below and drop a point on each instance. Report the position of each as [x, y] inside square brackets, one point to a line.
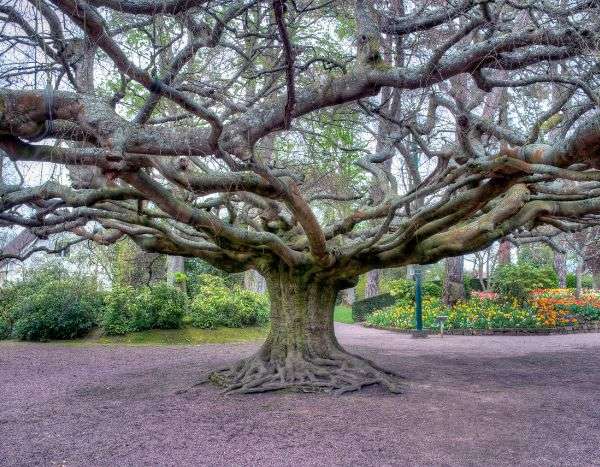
[216, 304]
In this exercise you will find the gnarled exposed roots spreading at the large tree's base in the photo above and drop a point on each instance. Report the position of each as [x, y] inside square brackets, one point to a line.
[339, 374]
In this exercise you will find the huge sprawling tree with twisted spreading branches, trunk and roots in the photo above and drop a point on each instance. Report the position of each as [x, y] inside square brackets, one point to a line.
[227, 130]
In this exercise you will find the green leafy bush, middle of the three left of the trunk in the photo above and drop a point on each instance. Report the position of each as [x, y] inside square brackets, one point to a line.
[127, 309]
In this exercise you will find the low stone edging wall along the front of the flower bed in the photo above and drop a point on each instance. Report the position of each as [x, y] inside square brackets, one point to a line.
[580, 328]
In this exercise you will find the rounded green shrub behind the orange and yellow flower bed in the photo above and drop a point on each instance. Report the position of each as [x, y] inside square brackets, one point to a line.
[516, 281]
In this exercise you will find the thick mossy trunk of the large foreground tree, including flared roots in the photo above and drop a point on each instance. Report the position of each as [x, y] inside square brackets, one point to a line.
[301, 351]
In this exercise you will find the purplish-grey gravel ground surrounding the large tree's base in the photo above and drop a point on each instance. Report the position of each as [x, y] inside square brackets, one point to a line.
[531, 400]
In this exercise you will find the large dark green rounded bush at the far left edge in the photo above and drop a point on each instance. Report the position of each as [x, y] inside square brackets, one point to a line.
[50, 303]
